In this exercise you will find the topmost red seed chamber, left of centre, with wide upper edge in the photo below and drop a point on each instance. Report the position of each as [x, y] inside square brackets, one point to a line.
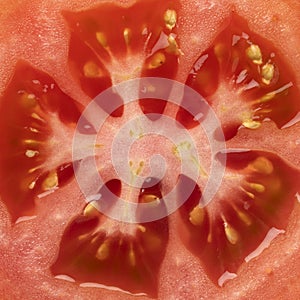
[148, 36]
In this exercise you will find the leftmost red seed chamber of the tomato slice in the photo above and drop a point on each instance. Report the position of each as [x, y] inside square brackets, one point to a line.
[36, 117]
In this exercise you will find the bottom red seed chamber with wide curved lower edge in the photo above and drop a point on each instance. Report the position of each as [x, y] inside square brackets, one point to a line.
[98, 250]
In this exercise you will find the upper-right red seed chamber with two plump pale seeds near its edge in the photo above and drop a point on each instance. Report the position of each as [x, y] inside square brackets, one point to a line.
[244, 80]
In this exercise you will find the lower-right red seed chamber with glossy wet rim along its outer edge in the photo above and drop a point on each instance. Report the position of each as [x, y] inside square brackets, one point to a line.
[257, 195]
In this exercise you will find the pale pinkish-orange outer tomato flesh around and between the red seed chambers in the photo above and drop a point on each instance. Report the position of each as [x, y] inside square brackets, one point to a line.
[254, 279]
